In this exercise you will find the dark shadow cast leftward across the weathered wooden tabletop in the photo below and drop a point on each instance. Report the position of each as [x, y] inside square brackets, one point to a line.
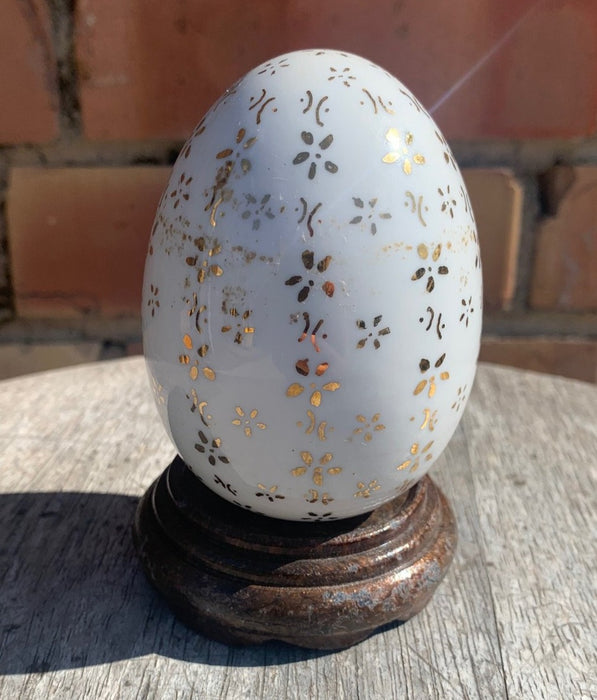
[73, 593]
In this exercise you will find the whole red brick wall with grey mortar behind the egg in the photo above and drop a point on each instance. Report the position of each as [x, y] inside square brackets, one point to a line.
[98, 96]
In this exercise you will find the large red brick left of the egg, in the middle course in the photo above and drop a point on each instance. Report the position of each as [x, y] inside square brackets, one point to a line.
[78, 238]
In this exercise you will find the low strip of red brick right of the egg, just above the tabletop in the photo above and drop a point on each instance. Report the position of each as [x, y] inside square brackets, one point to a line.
[576, 359]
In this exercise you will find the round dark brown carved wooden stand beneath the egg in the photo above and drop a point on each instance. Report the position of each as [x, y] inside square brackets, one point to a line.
[243, 578]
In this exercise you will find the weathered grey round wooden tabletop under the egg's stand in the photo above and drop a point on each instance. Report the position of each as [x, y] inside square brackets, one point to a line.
[514, 618]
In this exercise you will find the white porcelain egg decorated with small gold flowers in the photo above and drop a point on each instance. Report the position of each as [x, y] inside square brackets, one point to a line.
[312, 294]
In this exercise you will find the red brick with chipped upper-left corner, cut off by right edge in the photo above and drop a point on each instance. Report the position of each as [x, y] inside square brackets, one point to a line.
[565, 268]
